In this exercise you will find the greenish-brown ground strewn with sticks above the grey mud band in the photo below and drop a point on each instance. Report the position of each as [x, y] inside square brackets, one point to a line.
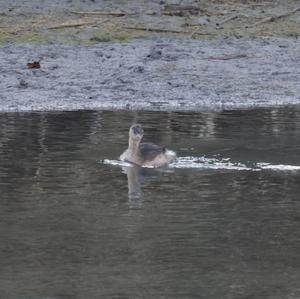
[93, 21]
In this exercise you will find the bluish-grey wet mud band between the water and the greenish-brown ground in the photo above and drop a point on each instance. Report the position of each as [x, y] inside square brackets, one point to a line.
[152, 74]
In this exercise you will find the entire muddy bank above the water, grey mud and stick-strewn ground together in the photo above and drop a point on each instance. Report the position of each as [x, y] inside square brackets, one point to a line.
[220, 58]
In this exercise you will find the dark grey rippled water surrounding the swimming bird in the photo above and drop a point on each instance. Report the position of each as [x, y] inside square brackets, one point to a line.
[71, 228]
